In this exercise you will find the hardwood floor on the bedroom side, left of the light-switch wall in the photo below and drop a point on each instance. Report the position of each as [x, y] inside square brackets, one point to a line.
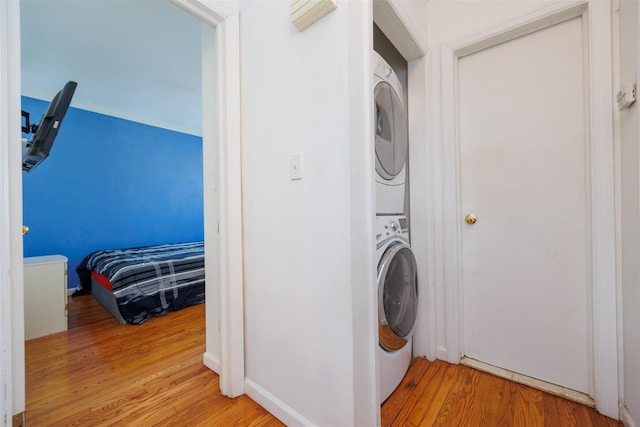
[102, 373]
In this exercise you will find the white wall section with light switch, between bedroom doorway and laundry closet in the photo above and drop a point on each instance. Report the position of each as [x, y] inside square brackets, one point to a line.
[299, 340]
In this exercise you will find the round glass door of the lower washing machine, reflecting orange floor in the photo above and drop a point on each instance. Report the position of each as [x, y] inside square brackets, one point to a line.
[397, 296]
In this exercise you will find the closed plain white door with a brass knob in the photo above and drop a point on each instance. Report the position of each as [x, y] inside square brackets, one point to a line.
[524, 175]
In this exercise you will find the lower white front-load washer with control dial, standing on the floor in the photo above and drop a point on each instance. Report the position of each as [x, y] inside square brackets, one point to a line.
[397, 285]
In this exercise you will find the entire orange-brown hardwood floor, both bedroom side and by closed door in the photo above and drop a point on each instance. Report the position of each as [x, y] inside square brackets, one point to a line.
[101, 373]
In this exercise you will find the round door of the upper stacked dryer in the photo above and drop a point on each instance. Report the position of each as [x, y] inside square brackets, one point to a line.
[391, 132]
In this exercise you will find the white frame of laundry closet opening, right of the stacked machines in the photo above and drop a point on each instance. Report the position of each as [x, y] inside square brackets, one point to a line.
[396, 24]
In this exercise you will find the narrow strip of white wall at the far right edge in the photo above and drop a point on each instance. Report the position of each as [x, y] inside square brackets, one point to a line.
[630, 213]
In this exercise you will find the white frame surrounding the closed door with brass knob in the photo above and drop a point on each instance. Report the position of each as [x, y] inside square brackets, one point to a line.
[603, 286]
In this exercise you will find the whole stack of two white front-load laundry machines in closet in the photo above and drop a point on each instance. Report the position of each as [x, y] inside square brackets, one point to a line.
[397, 271]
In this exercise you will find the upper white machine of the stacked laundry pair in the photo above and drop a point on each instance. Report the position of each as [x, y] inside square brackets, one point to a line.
[390, 139]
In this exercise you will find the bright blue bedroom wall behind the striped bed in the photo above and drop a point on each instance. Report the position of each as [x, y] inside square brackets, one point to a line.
[111, 183]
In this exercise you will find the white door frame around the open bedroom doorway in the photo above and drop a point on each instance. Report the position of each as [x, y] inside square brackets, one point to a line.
[224, 349]
